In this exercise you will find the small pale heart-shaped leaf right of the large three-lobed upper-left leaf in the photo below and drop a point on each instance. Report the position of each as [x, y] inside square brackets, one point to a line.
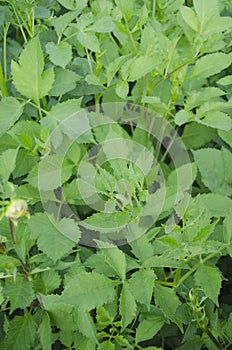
[60, 54]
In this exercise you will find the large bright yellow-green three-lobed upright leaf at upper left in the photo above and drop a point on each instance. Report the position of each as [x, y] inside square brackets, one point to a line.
[28, 76]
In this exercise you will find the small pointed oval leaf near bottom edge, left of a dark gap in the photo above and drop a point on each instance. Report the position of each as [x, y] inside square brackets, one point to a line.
[148, 328]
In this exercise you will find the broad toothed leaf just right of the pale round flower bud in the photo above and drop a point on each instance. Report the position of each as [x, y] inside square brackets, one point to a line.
[49, 239]
